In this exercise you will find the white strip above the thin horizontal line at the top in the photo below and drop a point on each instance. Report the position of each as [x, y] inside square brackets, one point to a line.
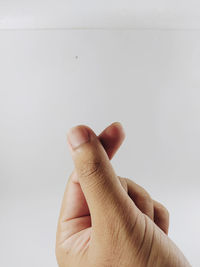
[170, 14]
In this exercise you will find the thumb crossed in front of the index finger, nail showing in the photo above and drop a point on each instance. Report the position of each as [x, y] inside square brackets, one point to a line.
[99, 183]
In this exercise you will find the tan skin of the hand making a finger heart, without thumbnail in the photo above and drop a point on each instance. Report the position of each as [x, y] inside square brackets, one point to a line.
[107, 220]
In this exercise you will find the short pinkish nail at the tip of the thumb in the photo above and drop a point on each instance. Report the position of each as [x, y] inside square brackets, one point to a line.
[77, 136]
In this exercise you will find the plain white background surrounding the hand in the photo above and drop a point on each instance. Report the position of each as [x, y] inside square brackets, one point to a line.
[53, 79]
